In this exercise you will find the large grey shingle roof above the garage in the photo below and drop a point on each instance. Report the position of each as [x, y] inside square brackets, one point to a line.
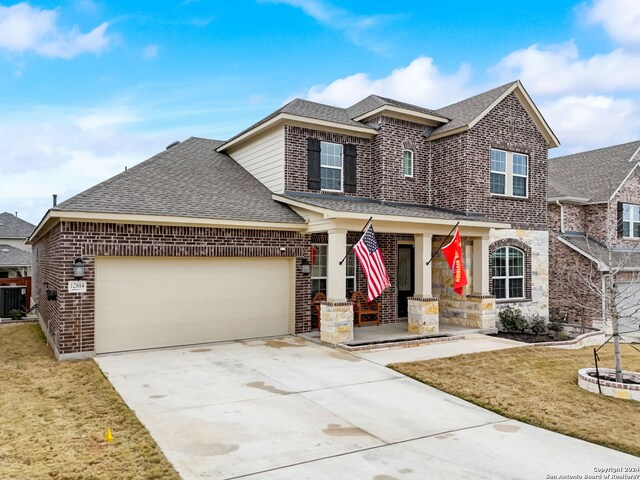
[188, 180]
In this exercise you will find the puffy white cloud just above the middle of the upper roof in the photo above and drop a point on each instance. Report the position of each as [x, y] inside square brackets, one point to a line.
[420, 83]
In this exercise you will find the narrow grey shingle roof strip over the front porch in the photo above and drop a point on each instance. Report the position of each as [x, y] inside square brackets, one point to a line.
[373, 207]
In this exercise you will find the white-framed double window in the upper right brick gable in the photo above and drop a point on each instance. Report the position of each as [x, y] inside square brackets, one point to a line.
[509, 173]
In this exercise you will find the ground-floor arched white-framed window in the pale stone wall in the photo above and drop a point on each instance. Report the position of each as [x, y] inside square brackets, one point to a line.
[508, 273]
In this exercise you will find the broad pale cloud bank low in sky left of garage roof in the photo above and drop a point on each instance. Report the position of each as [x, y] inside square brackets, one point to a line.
[66, 154]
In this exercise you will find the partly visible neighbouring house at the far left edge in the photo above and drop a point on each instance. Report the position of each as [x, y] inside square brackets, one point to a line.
[15, 255]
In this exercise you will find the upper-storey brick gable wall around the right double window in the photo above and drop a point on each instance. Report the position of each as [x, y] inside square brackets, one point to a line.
[461, 167]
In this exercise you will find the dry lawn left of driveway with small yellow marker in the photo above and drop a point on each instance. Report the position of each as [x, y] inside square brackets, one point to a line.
[54, 416]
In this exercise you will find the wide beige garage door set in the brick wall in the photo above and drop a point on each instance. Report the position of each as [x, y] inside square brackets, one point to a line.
[159, 302]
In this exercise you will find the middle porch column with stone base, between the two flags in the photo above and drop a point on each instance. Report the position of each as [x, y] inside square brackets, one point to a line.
[423, 308]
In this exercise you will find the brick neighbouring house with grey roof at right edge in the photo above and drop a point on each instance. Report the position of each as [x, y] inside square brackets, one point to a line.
[594, 224]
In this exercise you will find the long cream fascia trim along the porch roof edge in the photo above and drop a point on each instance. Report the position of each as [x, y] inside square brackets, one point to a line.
[333, 214]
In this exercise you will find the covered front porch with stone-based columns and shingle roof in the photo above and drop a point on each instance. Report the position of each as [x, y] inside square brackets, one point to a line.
[420, 300]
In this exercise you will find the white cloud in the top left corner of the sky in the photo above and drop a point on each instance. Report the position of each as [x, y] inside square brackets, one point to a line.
[25, 28]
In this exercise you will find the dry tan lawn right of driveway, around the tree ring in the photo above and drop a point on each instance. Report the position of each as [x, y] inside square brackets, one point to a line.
[540, 386]
